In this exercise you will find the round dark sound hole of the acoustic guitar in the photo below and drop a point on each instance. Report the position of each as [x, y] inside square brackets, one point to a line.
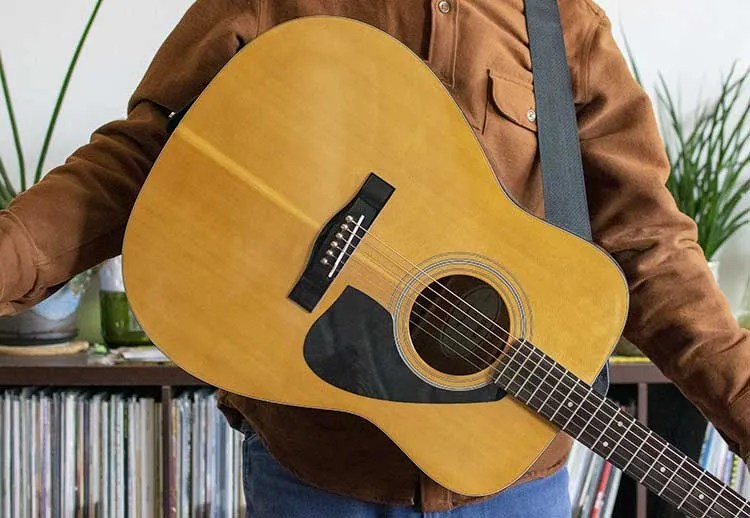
[458, 324]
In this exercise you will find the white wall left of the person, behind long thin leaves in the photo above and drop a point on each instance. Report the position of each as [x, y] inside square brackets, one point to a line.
[37, 40]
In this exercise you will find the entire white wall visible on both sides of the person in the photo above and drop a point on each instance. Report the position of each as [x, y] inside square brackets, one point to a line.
[691, 42]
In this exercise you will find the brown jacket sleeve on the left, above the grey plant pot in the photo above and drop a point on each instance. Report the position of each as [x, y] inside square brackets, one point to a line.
[75, 217]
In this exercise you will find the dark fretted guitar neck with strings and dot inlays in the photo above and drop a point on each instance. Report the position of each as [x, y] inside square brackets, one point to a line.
[553, 392]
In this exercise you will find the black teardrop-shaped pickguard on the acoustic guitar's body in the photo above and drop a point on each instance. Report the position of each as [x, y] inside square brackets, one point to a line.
[352, 347]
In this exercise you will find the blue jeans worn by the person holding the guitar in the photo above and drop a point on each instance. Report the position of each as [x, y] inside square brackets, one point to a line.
[271, 491]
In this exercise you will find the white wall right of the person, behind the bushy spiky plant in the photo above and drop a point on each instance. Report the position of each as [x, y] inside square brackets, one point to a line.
[692, 43]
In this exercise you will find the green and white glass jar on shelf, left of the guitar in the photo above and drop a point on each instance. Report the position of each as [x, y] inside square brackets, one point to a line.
[119, 325]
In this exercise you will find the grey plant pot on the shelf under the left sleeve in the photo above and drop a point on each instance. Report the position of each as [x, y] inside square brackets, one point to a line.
[52, 321]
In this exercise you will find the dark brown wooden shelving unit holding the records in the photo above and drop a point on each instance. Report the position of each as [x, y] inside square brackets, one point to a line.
[81, 370]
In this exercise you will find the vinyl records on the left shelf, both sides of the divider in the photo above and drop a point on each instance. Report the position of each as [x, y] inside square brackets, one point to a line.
[98, 454]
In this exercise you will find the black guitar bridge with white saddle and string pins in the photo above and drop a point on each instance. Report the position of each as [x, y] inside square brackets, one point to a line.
[338, 240]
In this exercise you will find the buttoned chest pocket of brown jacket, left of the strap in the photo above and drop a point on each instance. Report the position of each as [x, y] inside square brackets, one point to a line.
[509, 136]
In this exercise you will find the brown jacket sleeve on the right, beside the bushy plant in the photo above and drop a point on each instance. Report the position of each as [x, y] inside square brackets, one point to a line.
[678, 316]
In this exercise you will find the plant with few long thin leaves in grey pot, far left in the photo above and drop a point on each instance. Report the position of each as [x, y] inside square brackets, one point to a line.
[53, 320]
